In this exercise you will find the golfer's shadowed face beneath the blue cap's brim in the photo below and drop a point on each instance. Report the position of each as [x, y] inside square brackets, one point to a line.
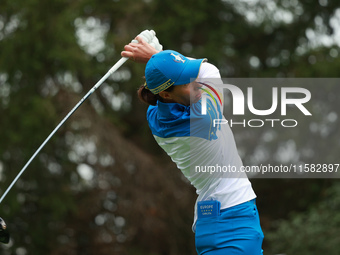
[187, 94]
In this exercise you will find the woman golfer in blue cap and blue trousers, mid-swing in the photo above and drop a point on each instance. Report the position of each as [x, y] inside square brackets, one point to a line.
[185, 101]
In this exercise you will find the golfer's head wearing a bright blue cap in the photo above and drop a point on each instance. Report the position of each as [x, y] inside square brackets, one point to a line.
[172, 76]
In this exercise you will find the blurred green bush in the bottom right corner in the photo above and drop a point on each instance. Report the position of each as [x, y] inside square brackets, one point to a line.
[312, 232]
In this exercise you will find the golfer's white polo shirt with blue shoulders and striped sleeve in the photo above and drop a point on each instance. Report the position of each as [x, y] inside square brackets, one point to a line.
[198, 146]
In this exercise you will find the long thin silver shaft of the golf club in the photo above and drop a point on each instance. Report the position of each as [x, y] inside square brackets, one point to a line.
[97, 85]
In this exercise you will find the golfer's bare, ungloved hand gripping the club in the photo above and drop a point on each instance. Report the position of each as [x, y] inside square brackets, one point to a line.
[139, 52]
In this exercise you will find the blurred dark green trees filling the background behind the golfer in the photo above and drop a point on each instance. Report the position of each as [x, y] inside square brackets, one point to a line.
[102, 185]
